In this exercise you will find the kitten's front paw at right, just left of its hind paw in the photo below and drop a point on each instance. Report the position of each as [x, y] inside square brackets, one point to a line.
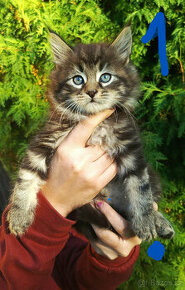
[144, 227]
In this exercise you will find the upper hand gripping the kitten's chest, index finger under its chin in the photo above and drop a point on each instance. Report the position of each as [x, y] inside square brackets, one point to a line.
[78, 173]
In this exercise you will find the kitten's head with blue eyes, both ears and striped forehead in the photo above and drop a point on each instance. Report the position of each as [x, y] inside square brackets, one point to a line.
[94, 77]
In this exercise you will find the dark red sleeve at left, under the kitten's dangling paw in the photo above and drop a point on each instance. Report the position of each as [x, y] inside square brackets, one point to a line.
[27, 262]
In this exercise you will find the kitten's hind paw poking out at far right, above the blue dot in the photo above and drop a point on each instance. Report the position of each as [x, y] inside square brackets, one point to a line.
[163, 227]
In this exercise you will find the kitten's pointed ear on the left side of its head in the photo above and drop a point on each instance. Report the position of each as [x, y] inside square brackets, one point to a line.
[60, 48]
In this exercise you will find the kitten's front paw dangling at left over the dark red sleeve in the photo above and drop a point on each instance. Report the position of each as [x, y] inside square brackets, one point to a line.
[19, 221]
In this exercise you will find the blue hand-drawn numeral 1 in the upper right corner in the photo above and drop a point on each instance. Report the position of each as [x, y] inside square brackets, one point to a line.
[157, 28]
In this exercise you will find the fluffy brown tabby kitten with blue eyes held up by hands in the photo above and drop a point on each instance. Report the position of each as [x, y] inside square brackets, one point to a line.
[88, 79]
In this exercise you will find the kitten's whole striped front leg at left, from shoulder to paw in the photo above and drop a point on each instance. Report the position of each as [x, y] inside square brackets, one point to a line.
[32, 175]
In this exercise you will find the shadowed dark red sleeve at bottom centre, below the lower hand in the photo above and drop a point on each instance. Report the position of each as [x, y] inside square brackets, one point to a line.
[82, 268]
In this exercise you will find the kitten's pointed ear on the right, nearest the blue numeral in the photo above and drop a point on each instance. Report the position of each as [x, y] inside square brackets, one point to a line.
[123, 43]
